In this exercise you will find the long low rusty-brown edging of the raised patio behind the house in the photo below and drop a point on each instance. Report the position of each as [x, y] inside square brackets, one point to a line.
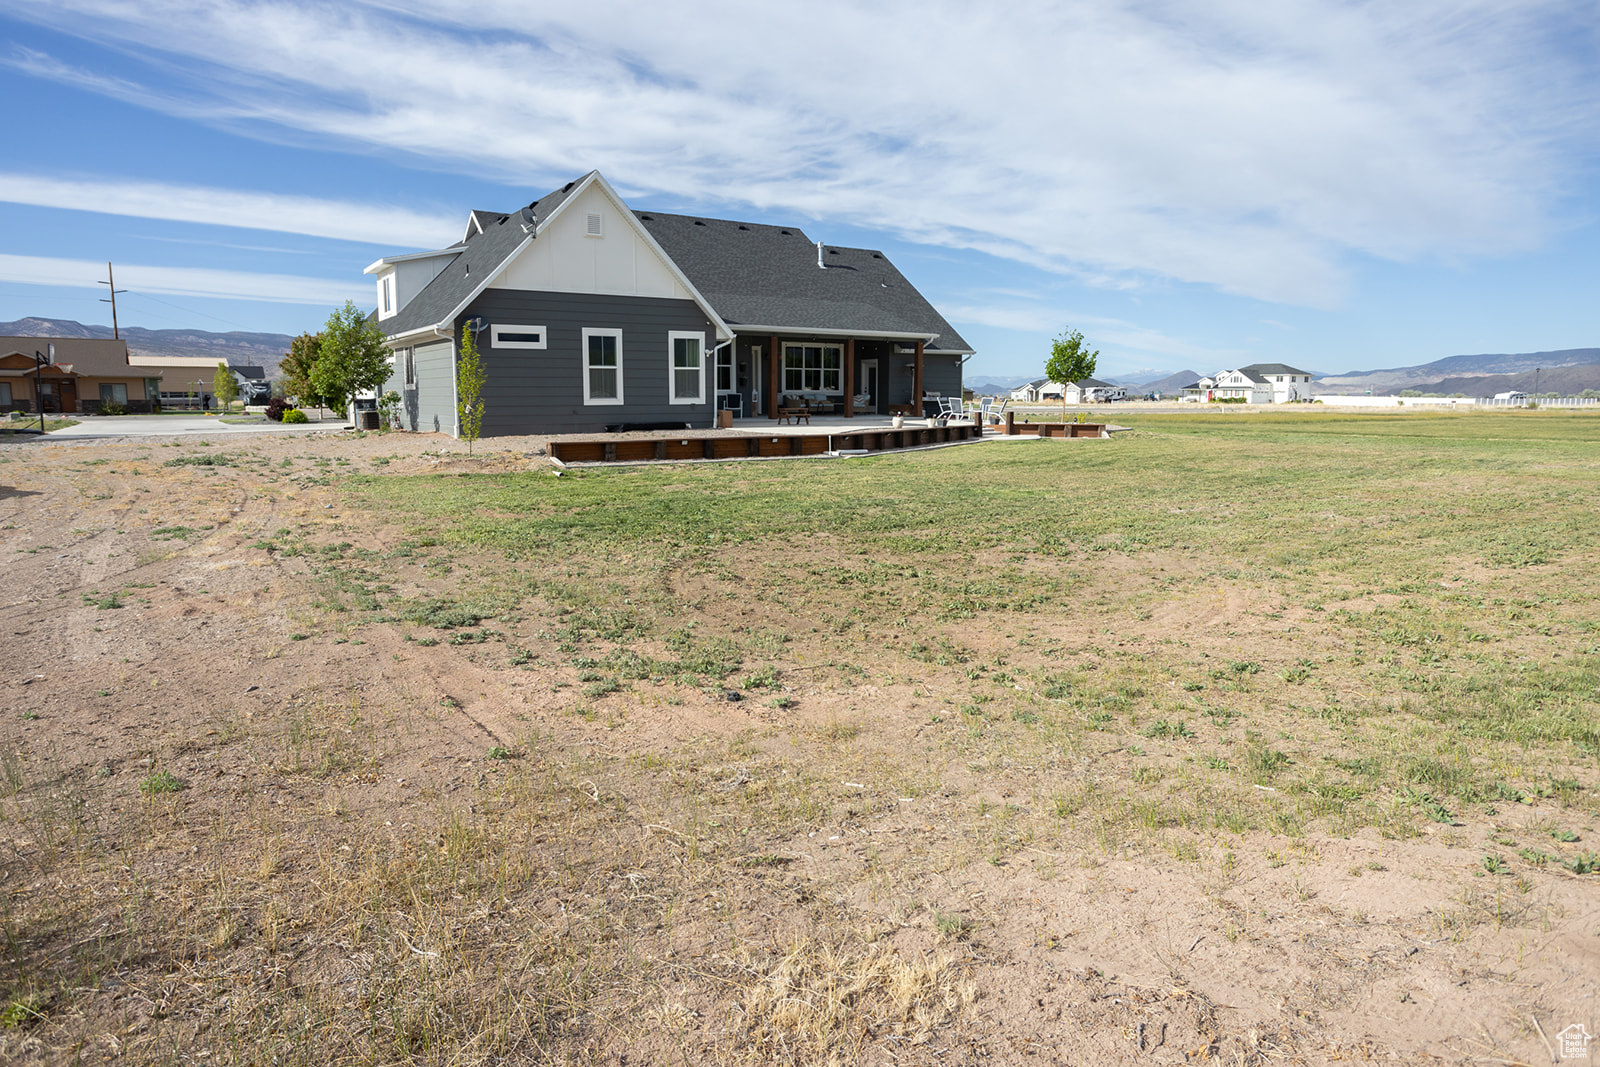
[754, 446]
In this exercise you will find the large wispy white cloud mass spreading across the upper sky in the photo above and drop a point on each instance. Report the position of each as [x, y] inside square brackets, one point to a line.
[1244, 146]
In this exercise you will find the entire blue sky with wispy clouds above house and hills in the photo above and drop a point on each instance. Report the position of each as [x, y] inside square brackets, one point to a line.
[1338, 186]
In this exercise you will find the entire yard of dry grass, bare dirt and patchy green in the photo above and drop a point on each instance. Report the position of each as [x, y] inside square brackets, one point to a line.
[1241, 738]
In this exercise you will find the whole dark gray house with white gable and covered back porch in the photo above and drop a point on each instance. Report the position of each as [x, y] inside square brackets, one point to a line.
[593, 316]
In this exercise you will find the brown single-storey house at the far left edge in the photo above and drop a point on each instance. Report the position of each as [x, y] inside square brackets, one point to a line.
[84, 375]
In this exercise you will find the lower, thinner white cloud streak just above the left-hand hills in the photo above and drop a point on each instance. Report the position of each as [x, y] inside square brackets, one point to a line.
[276, 289]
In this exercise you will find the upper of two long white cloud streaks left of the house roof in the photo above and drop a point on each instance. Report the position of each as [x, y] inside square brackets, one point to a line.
[231, 207]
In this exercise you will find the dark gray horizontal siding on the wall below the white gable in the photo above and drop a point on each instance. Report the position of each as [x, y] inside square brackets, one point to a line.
[542, 391]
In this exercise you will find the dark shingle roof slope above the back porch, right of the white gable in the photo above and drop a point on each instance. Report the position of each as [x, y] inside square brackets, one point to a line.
[767, 276]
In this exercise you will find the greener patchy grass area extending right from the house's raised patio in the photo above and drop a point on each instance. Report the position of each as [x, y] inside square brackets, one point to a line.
[1417, 620]
